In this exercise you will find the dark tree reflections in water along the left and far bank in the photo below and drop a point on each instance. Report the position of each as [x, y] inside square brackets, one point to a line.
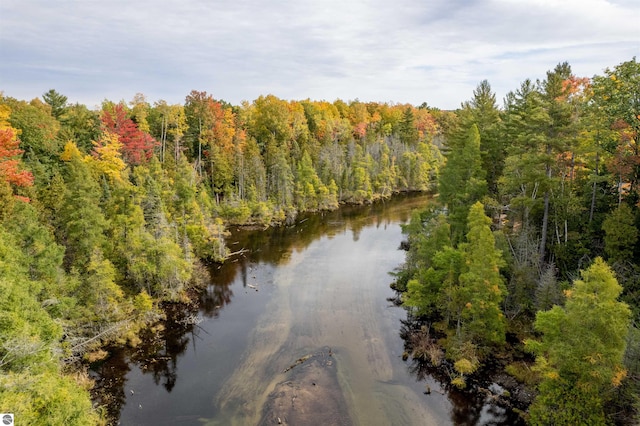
[159, 351]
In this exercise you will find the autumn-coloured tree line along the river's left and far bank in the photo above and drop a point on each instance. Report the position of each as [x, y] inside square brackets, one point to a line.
[106, 213]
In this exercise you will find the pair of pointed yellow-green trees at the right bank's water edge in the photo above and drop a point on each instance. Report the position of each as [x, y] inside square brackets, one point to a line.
[462, 285]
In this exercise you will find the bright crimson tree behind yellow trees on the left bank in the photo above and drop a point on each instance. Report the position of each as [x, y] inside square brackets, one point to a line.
[137, 146]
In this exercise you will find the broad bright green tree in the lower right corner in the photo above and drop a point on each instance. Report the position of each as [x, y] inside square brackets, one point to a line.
[582, 348]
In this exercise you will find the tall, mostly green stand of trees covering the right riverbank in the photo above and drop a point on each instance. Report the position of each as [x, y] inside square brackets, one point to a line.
[531, 252]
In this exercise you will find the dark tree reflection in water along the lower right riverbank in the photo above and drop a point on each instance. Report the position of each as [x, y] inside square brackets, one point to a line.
[466, 405]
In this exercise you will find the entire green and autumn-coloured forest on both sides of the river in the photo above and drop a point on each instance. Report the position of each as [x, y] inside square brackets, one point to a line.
[529, 256]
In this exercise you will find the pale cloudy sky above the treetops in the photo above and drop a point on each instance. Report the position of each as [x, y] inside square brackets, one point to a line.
[396, 51]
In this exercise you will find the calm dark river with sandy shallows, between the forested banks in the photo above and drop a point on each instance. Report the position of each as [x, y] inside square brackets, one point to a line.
[316, 291]
